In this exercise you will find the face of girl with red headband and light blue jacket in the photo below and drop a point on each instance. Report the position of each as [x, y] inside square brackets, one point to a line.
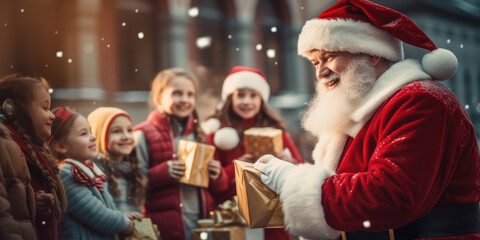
[80, 143]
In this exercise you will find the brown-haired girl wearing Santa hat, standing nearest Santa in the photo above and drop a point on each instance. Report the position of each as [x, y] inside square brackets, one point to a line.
[245, 95]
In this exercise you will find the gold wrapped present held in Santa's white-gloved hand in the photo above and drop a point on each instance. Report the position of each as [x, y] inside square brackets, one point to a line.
[259, 205]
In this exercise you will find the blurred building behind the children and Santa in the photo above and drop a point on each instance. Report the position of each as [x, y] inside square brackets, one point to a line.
[106, 52]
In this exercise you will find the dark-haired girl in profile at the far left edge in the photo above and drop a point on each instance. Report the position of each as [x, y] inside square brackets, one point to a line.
[29, 120]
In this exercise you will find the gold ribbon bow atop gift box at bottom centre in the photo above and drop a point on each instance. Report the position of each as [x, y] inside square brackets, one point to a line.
[226, 214]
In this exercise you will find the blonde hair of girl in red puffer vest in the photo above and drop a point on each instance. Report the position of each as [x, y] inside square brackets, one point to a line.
[162, 81]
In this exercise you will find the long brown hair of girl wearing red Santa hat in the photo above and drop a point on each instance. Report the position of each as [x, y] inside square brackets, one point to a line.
[264, 118]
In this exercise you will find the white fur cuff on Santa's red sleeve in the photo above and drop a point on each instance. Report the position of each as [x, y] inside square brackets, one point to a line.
[301, 197]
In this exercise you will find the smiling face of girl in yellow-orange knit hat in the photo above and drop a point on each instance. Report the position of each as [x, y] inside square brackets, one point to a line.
[120, 137]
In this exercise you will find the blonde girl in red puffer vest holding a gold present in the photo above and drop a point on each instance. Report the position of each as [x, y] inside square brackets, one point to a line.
[173, 206]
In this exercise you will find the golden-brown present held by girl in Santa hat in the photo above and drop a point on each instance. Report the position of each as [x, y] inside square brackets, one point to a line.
[261, 141]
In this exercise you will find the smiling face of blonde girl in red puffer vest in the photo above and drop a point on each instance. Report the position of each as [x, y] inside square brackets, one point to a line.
[178, 99]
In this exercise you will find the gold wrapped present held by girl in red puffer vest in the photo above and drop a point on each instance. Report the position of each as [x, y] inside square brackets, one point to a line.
[196, 157]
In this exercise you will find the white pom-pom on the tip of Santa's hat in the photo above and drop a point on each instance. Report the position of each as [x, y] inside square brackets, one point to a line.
[441, 64]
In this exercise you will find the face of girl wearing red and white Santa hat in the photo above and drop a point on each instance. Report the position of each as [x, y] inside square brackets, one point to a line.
[246, 102]
